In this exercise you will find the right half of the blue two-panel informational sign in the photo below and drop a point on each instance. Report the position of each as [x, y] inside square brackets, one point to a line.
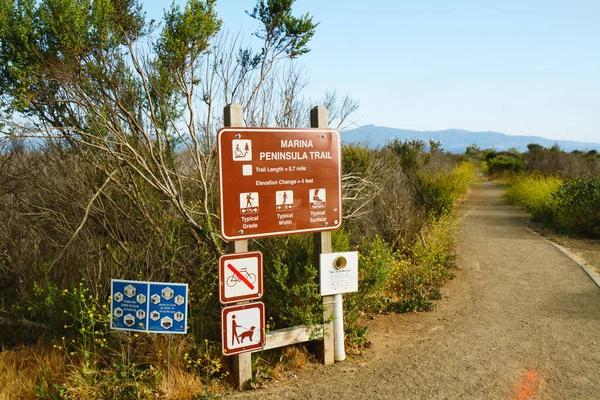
[167, 308]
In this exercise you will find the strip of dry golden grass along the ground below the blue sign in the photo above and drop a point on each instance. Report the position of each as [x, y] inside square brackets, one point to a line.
[31, 371]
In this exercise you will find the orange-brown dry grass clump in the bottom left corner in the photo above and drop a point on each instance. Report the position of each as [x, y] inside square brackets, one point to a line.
[29, 368]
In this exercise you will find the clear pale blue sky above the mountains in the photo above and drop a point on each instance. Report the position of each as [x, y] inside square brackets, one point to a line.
[517, 67]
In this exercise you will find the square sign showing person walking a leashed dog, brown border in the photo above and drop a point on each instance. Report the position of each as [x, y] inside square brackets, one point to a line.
[243, 328]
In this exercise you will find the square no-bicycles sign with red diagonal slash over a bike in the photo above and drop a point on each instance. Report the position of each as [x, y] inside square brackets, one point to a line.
[240, 277]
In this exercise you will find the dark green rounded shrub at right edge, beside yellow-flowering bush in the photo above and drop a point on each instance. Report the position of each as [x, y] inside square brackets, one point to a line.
[577, 207]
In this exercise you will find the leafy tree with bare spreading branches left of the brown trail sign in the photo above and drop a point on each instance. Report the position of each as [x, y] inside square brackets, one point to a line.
[87, 75]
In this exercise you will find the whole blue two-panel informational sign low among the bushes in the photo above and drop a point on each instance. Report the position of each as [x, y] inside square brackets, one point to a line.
[149, 306]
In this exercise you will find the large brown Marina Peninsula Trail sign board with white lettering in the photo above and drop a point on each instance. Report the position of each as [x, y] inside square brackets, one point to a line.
[289, 181]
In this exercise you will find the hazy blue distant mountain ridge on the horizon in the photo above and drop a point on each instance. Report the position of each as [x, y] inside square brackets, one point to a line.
[456, 140]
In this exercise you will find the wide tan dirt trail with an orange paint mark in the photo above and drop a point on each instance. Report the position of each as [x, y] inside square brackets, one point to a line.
[520, 321]
